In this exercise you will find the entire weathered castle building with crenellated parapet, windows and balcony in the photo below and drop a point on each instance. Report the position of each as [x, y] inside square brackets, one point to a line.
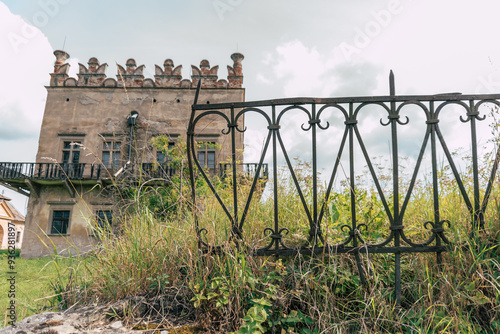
[96, 127]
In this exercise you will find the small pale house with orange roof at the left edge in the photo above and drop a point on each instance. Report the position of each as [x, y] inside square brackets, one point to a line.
[10, 218]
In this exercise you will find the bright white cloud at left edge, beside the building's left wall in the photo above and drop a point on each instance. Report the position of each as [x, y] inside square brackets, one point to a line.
[27, 61]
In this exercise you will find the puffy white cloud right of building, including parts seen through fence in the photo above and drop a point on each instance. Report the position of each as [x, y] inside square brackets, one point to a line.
[301, 70]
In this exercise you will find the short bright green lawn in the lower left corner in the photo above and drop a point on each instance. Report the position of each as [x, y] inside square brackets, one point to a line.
[33, 284]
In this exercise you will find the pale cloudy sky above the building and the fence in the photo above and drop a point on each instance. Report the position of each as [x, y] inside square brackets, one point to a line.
[320, 48]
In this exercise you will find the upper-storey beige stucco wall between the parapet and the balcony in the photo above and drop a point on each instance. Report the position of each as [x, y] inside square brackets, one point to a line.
[90, 115]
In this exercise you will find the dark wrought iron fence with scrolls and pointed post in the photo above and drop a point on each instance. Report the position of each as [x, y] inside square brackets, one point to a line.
[397, 242]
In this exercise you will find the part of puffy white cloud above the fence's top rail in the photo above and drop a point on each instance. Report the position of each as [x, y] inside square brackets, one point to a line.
[305, 71]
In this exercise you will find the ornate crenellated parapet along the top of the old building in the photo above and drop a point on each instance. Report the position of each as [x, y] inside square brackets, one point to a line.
[133, 76]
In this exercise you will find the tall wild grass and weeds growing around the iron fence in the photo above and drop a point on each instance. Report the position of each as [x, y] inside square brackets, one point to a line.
[154, 253]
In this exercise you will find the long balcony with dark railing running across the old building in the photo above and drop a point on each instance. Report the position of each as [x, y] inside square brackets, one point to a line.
[25, 177]
